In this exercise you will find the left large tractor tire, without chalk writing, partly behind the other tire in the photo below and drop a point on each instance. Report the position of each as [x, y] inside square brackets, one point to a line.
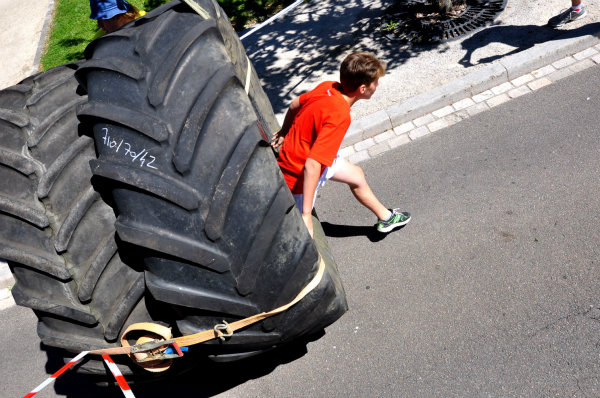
[56, 232]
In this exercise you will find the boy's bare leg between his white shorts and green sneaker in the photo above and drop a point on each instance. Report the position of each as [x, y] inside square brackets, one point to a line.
[353, 175]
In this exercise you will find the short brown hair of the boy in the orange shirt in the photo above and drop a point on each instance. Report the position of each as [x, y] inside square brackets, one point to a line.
[360, 67]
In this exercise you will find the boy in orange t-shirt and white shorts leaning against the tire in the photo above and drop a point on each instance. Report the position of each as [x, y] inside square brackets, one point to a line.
[312, 133]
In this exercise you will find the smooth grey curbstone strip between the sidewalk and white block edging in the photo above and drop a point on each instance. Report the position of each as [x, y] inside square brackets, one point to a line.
[493, 75]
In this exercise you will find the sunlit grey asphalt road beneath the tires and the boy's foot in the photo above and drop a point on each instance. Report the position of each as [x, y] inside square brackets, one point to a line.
[491, 291]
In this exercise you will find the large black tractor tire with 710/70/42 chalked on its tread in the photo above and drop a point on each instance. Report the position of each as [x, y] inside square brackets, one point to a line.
[174, 107]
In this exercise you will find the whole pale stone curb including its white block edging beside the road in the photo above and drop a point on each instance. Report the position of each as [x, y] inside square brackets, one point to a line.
[509, 78]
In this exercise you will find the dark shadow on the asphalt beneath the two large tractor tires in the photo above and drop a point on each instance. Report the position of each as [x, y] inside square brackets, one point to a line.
[205, 378]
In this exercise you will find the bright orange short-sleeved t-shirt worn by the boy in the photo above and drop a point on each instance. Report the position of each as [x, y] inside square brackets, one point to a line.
[316, 132]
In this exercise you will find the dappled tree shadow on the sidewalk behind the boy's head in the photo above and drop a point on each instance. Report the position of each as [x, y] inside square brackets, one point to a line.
[311, 42]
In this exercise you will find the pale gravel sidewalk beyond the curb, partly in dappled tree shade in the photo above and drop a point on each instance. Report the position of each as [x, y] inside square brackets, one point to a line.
[295, 53]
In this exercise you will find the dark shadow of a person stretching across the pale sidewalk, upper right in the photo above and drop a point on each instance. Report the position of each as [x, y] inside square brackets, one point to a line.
[520, 37]
